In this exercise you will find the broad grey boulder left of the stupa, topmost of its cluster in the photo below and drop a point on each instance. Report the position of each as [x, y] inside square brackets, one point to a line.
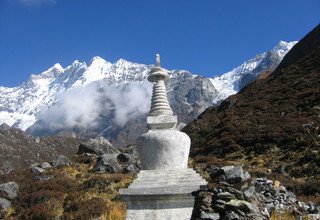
[98, 146]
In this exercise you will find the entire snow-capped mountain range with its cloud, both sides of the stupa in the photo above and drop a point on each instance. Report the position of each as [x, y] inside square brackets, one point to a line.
[103, 97]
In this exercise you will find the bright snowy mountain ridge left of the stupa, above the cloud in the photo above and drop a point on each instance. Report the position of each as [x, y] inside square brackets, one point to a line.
[20, 106]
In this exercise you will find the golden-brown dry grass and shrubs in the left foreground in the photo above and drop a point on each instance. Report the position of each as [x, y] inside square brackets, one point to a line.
[75, 192]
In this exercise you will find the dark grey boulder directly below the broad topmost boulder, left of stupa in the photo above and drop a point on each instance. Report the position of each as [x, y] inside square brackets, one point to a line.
[107, 163]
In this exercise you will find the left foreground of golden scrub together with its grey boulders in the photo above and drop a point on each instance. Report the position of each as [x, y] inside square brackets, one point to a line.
[82, 187]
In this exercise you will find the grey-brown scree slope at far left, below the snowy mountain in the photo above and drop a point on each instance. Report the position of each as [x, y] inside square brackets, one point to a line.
[19, 150]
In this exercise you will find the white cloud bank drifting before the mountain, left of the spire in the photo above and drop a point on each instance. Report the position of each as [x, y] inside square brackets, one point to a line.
[86, 107]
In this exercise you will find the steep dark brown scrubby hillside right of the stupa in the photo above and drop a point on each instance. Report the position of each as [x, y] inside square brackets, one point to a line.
[272, 125]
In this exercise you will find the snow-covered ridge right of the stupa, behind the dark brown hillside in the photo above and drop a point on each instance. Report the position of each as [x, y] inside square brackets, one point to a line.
[231, 82]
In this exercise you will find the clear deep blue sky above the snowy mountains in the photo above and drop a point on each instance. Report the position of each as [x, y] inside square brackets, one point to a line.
[206, 37]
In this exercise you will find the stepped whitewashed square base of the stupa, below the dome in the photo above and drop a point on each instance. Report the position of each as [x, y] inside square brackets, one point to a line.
[162, 194]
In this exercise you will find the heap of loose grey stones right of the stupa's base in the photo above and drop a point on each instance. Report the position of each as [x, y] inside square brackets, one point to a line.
[235, 195]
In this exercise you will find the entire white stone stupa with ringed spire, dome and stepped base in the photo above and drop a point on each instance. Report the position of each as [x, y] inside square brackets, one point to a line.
[162, 189]
